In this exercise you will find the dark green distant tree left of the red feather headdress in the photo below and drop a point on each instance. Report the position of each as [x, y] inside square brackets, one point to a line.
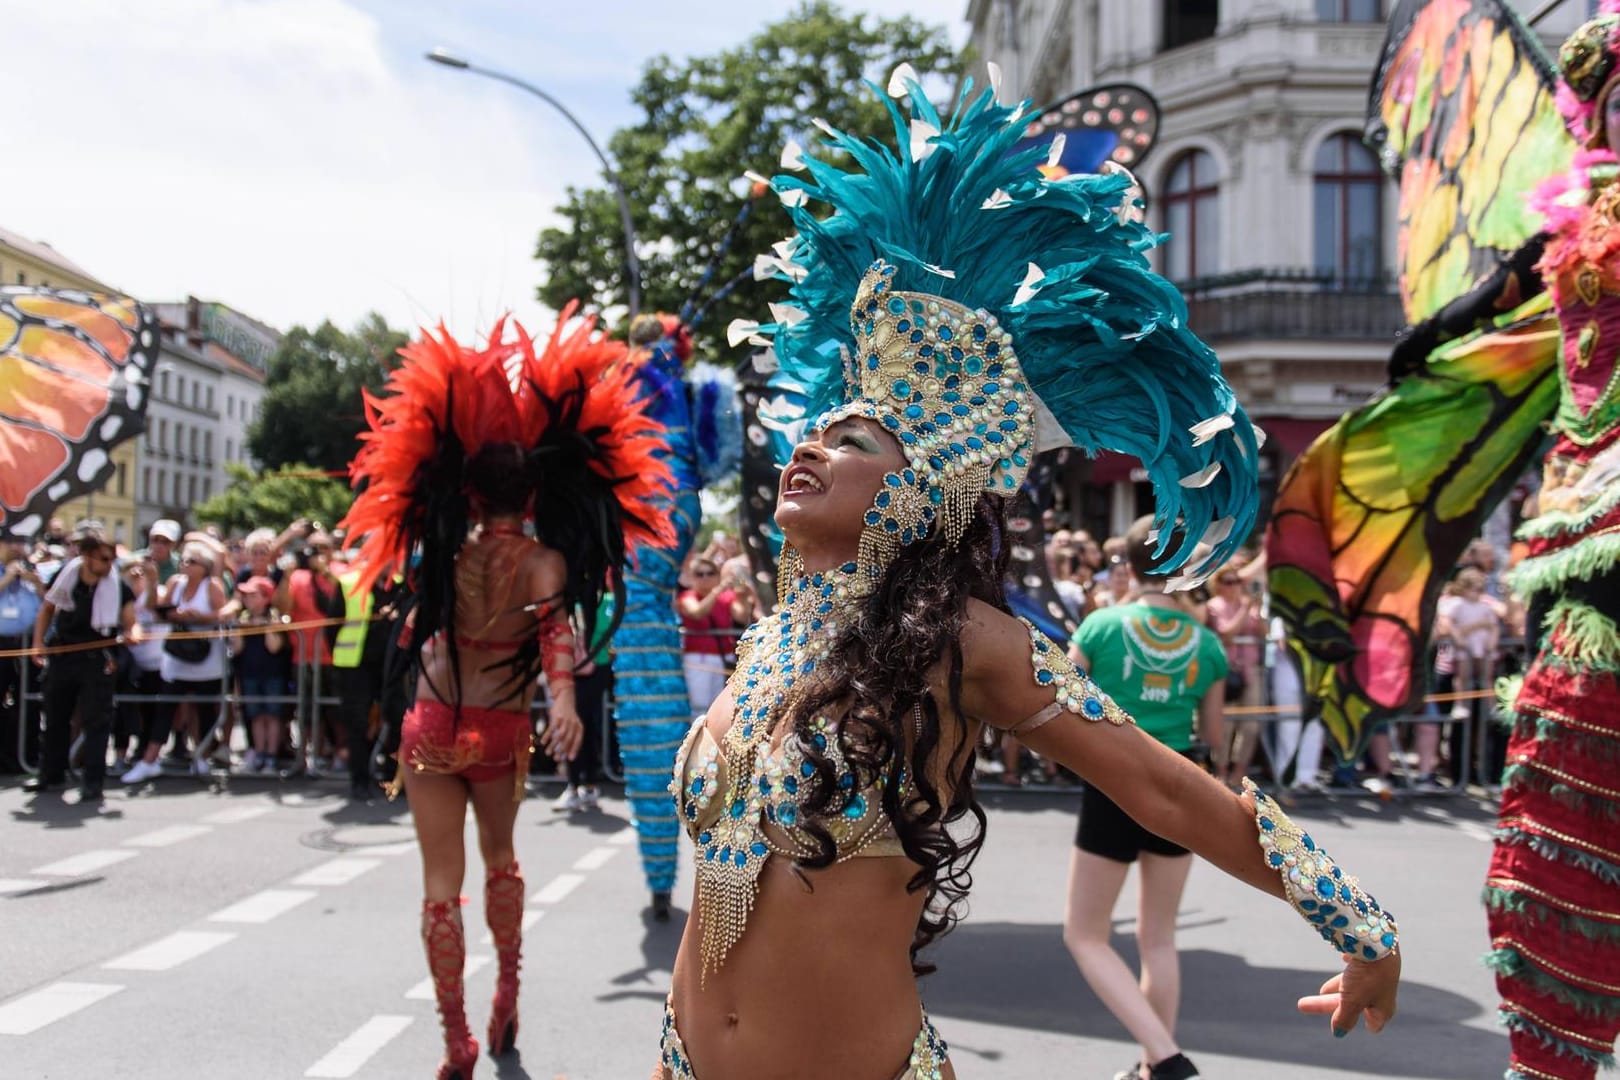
[312, 407]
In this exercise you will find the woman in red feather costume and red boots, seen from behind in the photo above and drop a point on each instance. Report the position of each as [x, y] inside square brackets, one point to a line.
[467, 448]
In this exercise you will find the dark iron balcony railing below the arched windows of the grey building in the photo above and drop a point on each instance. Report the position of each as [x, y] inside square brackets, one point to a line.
[1294, 305]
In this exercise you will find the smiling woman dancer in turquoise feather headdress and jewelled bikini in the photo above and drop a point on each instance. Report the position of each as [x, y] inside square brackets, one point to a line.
[827, 788]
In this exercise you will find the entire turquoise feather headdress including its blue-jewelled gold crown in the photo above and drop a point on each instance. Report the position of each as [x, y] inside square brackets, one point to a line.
[958, 234]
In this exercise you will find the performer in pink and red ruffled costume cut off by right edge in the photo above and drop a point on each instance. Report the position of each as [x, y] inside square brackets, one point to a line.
[1554, 882]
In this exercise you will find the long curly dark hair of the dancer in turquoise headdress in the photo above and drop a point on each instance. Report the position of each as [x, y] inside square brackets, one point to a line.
[871, 678]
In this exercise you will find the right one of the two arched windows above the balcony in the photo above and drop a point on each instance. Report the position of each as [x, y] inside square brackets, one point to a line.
[1349, 213]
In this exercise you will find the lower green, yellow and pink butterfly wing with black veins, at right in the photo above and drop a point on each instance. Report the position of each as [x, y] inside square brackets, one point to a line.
[1373, 517]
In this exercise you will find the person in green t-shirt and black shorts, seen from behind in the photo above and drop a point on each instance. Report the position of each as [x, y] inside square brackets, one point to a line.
[1169, 671]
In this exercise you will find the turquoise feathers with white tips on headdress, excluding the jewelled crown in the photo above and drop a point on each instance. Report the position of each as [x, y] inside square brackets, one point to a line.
[1062, 265]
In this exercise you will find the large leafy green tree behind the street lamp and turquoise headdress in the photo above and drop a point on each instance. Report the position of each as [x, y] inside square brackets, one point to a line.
[710, 119]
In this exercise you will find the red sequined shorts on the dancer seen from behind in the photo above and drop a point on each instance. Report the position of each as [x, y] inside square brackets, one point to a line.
[474, 744]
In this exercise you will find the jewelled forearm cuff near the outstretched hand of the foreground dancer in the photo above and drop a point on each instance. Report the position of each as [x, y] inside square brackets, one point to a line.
[1329, 899]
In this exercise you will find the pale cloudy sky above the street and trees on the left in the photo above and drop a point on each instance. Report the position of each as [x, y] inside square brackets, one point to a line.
[297, 159]
